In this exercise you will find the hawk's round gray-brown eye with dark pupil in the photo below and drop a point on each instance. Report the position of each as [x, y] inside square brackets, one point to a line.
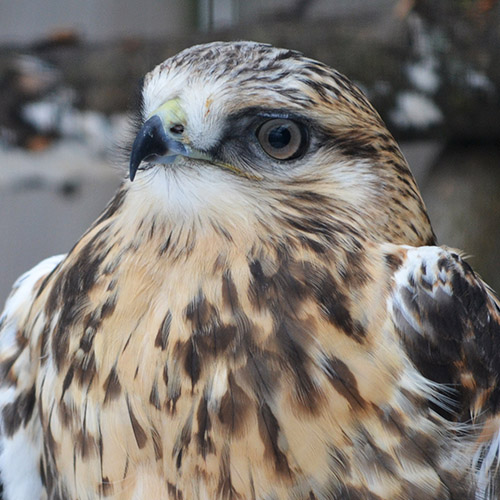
[282, 139]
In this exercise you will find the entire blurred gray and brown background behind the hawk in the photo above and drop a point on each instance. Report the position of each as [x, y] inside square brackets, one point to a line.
[69, 71]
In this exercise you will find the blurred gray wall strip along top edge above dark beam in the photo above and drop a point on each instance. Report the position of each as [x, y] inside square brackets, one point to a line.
[24, 21]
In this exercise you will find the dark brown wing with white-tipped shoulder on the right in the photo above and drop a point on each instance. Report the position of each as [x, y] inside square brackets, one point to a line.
[449, 322]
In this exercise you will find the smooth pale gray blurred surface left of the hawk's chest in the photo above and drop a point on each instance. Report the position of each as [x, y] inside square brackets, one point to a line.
[47, 201]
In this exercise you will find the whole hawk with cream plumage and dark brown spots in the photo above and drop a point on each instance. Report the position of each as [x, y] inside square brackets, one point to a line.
[260, 314]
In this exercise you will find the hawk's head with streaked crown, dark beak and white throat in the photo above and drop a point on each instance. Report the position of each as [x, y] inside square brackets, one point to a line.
[245, 134]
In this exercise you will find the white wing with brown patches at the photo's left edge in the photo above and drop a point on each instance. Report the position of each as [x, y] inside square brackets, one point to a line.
[20, 438]
